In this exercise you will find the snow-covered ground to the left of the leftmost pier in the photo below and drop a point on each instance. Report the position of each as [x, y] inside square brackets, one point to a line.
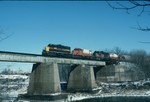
[12, 85]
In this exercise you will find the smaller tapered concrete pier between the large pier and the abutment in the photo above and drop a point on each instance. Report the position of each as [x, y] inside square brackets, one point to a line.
[81, 79]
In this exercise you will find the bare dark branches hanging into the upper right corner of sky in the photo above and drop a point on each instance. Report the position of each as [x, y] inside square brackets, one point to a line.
[133, 5]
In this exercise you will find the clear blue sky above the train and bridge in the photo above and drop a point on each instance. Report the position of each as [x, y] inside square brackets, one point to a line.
[78, 24]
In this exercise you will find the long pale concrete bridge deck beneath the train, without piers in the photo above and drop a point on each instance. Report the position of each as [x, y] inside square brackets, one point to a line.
[36, 58]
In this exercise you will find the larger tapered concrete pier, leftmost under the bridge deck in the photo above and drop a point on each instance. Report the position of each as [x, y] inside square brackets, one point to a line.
[44, 79]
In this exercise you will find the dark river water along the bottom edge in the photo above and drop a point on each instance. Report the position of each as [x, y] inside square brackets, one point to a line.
[100, 99]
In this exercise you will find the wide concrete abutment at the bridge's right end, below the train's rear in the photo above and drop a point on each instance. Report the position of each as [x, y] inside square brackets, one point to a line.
[123, 72]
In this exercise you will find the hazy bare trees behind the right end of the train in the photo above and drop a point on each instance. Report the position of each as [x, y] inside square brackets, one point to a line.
[139, 57]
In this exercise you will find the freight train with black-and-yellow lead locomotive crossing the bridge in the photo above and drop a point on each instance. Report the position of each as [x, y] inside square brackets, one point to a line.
[61, 51]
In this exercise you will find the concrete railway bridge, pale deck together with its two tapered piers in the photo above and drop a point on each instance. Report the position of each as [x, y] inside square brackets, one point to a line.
[44, 78]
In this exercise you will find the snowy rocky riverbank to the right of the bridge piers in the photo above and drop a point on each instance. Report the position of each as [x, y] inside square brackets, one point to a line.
[135, 89]
